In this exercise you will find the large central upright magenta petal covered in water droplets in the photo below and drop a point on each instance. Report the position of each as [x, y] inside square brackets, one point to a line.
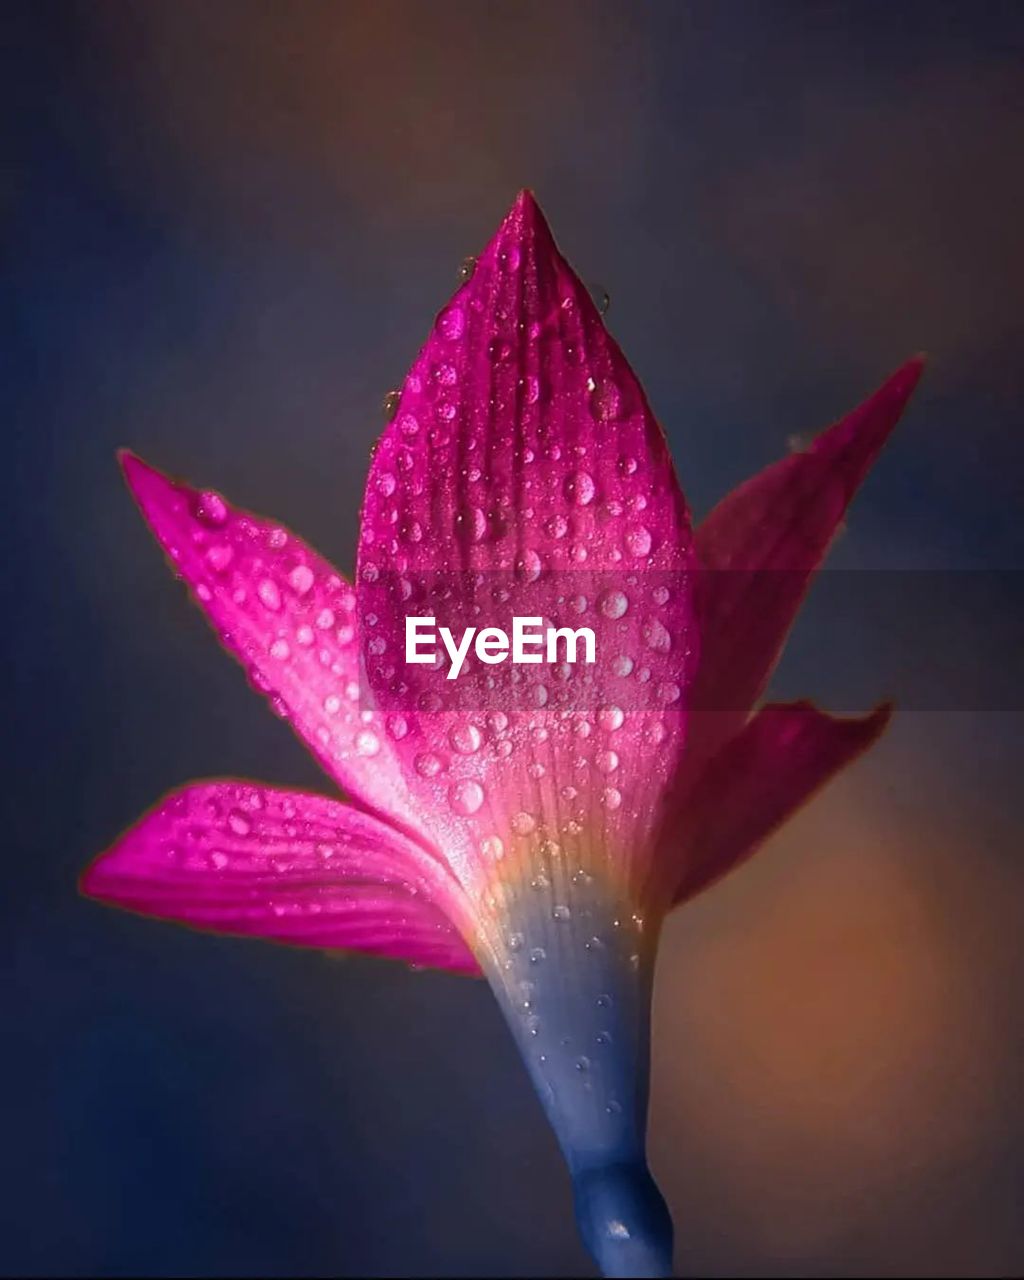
[525, 476]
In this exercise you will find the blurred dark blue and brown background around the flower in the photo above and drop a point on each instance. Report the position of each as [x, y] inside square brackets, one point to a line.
[228, 227]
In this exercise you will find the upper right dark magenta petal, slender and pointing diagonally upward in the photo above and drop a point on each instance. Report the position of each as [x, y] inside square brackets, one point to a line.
[764, 542]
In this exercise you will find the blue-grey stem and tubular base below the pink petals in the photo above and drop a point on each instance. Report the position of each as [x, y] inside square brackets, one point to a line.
[575, 990]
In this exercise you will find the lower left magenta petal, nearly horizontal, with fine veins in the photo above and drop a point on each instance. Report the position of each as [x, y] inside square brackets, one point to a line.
[248, 860]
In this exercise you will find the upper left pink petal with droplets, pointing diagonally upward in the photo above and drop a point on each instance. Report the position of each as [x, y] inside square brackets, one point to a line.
[289, 616]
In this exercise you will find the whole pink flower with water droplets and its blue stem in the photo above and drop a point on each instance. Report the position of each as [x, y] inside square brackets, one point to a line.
[533, 824]
